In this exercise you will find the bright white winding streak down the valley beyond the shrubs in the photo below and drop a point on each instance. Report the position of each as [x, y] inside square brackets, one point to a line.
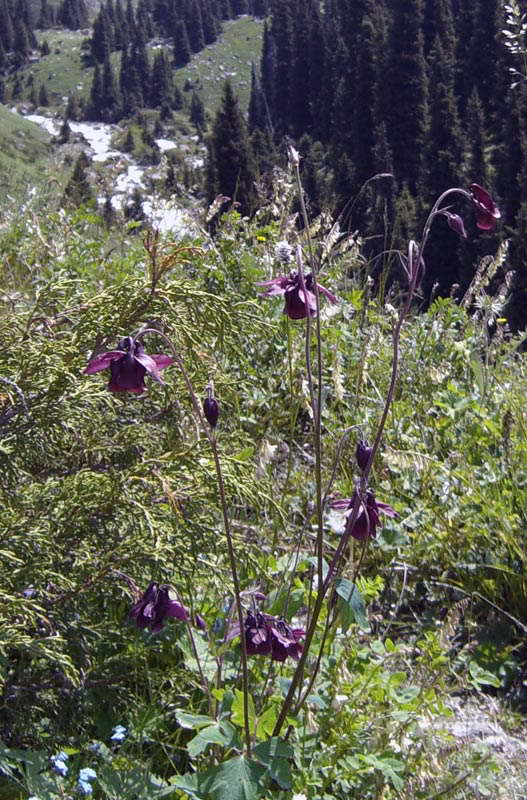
[162, 213]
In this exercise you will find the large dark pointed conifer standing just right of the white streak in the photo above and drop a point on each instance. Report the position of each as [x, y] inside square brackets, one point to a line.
[230, 163]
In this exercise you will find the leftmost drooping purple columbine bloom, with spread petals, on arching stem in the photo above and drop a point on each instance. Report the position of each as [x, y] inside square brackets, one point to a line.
[128, 366]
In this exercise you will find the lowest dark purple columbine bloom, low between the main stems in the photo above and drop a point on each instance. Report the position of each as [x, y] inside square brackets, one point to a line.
[267, 635]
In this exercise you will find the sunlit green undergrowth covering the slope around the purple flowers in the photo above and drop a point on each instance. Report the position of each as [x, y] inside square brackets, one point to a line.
[103, 493]
